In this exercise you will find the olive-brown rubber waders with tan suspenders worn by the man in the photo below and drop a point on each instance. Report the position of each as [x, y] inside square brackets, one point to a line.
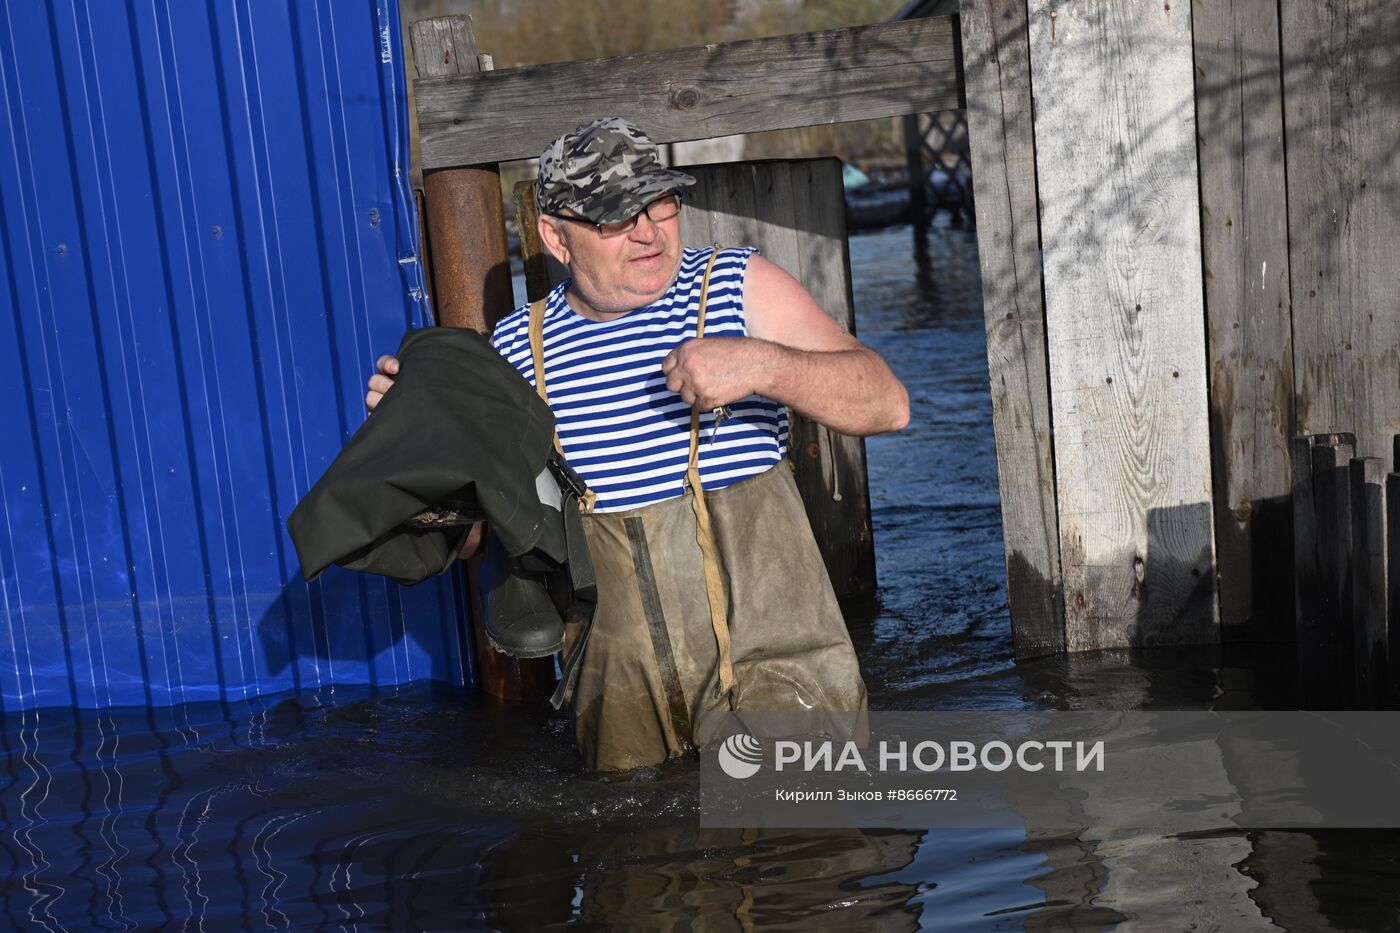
[706, 603]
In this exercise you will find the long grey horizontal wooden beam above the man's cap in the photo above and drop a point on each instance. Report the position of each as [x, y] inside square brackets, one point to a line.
[836, 76]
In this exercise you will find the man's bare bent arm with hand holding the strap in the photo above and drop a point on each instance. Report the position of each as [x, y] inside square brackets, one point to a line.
[796, 355]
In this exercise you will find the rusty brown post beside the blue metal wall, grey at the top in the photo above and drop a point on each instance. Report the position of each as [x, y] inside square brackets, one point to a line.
[472, 288]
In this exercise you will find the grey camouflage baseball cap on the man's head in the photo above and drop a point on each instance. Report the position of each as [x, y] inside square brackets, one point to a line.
[604, 172]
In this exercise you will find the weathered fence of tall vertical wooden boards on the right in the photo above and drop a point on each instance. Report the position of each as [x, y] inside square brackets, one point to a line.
[1168, 470]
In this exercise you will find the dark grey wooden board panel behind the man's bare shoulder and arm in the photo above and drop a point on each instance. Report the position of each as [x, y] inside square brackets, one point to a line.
[794, 214]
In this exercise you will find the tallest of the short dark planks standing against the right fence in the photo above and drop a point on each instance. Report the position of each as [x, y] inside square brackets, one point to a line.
[1332, 498]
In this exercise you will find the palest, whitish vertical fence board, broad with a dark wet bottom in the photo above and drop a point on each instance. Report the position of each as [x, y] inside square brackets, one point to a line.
[1121, 222]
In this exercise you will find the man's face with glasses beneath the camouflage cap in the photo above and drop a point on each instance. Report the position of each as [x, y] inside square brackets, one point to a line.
[615, 275]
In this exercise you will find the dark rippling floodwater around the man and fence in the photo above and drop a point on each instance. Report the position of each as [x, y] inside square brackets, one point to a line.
[429, 810]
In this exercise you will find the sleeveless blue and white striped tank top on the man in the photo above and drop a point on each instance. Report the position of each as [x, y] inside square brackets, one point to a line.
[621, 428]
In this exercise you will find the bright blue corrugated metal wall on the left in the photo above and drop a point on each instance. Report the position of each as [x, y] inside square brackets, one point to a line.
[208, 236]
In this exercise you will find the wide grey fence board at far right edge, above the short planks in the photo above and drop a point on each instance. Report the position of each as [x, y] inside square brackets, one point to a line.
[1342, 99]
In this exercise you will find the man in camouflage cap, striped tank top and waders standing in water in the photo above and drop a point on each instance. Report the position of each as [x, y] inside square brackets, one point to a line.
[670, 372]
